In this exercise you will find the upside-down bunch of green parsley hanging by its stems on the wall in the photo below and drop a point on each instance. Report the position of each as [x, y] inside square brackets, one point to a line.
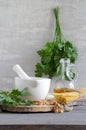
[54, 51]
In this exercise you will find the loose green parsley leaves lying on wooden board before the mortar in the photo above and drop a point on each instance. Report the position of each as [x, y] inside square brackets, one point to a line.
[15, 98]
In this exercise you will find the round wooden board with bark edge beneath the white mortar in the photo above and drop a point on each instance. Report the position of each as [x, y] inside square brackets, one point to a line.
[34, 108]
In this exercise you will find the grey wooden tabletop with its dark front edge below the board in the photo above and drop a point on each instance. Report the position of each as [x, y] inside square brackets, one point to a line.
[75, 119]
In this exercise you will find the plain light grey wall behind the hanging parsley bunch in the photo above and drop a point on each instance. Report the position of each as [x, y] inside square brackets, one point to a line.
[25, 27]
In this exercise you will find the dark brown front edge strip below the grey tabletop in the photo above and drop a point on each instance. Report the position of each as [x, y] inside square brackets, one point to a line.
[43, 127]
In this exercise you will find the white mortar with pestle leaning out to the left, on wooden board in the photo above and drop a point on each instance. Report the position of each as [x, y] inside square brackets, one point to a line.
[38, 87]
